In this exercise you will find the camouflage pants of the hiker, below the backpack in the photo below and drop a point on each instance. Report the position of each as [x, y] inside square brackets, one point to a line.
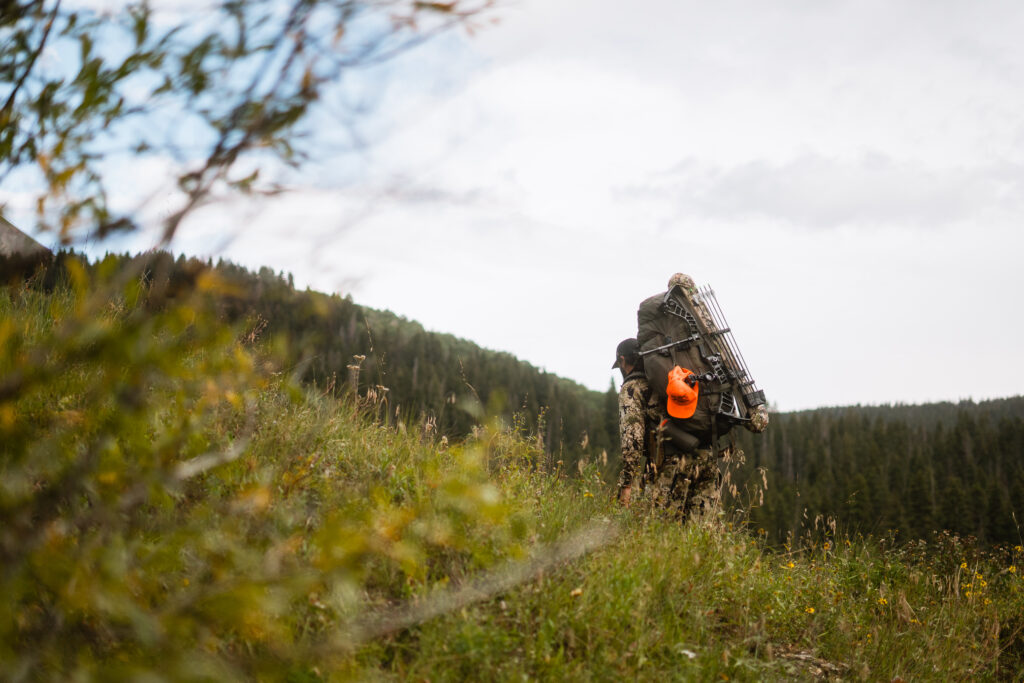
[689, 486]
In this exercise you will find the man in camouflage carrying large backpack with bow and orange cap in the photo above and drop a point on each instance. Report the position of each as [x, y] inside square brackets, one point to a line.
[689, 383]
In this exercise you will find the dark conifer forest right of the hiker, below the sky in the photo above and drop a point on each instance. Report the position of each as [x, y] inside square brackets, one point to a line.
[916, 469]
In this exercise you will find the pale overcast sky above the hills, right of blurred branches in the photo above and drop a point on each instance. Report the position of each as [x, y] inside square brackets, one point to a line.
[847, 177]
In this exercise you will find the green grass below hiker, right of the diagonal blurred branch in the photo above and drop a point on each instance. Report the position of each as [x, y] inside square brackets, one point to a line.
[699, 603]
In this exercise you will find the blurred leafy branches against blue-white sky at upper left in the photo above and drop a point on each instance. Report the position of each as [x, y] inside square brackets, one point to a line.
[214, 96]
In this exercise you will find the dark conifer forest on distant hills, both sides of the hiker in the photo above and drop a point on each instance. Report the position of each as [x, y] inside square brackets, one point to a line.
[873, 469]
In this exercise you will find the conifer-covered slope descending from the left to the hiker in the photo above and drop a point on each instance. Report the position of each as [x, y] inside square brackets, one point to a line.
[417, 375]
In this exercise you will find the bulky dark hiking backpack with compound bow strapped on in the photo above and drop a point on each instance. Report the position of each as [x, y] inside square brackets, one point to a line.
[685, 327]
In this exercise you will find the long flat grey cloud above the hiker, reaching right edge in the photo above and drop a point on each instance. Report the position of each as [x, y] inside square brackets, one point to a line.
[813, 192]
